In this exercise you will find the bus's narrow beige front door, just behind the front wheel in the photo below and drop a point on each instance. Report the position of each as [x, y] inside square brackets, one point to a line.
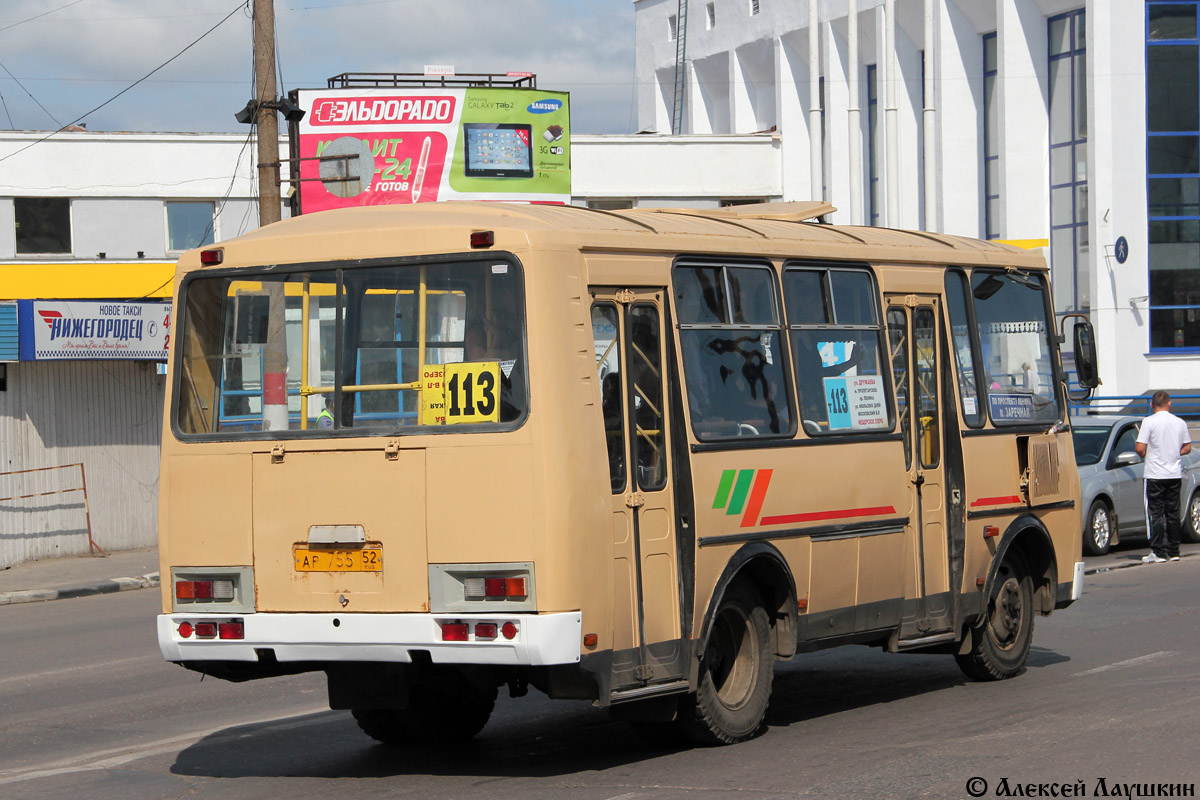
[914, 336]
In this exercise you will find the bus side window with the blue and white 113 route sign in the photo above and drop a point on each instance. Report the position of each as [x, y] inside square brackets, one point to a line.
[837, 340]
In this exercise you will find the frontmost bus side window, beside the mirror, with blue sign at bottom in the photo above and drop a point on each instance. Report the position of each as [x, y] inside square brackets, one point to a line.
[1015, 339]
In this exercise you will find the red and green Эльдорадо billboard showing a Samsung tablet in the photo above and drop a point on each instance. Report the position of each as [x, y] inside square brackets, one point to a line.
[381, 147]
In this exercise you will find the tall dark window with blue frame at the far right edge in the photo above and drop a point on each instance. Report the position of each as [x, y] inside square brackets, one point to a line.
[1173, 170]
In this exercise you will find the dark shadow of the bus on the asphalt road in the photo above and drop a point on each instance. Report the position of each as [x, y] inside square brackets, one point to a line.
[539, 738]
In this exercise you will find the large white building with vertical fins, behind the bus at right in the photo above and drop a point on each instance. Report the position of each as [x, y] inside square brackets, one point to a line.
[1024, 121]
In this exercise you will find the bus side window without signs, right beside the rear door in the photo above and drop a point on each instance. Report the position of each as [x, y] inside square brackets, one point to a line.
[734, 362]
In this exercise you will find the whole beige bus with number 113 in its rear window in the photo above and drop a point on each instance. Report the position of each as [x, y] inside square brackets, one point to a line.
[633, 458]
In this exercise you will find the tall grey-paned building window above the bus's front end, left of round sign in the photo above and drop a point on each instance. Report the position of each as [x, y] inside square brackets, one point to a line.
[1069, 163]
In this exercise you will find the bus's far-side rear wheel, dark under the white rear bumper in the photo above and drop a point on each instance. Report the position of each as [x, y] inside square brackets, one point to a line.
[434, 717]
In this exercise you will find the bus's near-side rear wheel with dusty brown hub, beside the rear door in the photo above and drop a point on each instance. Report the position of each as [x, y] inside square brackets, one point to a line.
[730, 705]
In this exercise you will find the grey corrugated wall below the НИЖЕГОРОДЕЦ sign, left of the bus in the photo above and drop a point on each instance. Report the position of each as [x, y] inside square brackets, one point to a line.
[106, 416]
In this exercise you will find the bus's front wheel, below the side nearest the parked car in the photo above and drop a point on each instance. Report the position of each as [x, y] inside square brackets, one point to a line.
[1000, 645]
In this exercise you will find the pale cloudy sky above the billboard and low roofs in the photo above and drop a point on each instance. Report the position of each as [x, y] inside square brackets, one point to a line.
[61, 59]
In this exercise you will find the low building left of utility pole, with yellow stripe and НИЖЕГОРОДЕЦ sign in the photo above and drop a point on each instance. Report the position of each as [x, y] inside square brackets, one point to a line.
[91, 225]
